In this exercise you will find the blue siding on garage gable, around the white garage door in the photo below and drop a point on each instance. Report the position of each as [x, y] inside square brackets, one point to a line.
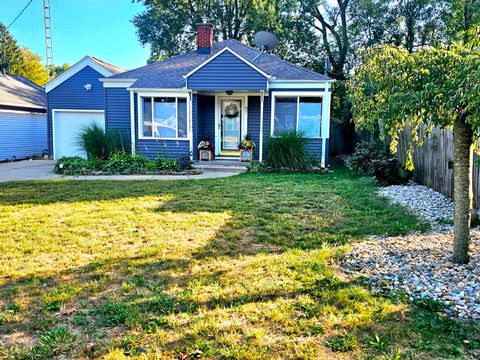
[71, 94]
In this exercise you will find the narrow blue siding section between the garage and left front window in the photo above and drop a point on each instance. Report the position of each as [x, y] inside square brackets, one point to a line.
[117, 112]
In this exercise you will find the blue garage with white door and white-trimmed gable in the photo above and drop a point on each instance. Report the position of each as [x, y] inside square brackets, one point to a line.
[75, 100]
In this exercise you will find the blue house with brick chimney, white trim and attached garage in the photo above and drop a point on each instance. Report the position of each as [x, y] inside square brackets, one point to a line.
[221, 91]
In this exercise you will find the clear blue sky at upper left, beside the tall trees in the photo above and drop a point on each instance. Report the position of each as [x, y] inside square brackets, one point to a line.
[100, 28]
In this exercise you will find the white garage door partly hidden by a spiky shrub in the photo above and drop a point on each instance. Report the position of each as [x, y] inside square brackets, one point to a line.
[67, 126]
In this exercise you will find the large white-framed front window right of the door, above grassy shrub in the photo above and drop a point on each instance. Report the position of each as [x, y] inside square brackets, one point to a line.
[297, 113]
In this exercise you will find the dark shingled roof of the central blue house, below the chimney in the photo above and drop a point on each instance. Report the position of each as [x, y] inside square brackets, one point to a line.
[169, 73]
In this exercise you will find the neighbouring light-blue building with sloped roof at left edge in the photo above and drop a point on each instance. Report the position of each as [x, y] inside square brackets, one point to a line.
[23, 120]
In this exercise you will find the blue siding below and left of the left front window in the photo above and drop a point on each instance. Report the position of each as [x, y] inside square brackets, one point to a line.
[153, 148]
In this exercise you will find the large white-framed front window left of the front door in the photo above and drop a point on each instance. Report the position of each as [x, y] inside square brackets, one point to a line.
[164, 117]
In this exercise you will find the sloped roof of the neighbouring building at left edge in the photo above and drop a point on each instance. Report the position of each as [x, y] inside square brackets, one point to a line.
[18, 91]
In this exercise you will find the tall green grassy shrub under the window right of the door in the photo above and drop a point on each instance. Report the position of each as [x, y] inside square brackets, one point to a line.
[288, 151]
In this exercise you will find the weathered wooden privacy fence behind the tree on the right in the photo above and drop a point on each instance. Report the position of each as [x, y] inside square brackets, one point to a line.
[432, 163]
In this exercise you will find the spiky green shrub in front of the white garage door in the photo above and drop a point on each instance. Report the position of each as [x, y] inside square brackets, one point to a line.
[99, 143]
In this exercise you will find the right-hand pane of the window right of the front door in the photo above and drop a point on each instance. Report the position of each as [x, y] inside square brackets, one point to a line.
[310, 115]
